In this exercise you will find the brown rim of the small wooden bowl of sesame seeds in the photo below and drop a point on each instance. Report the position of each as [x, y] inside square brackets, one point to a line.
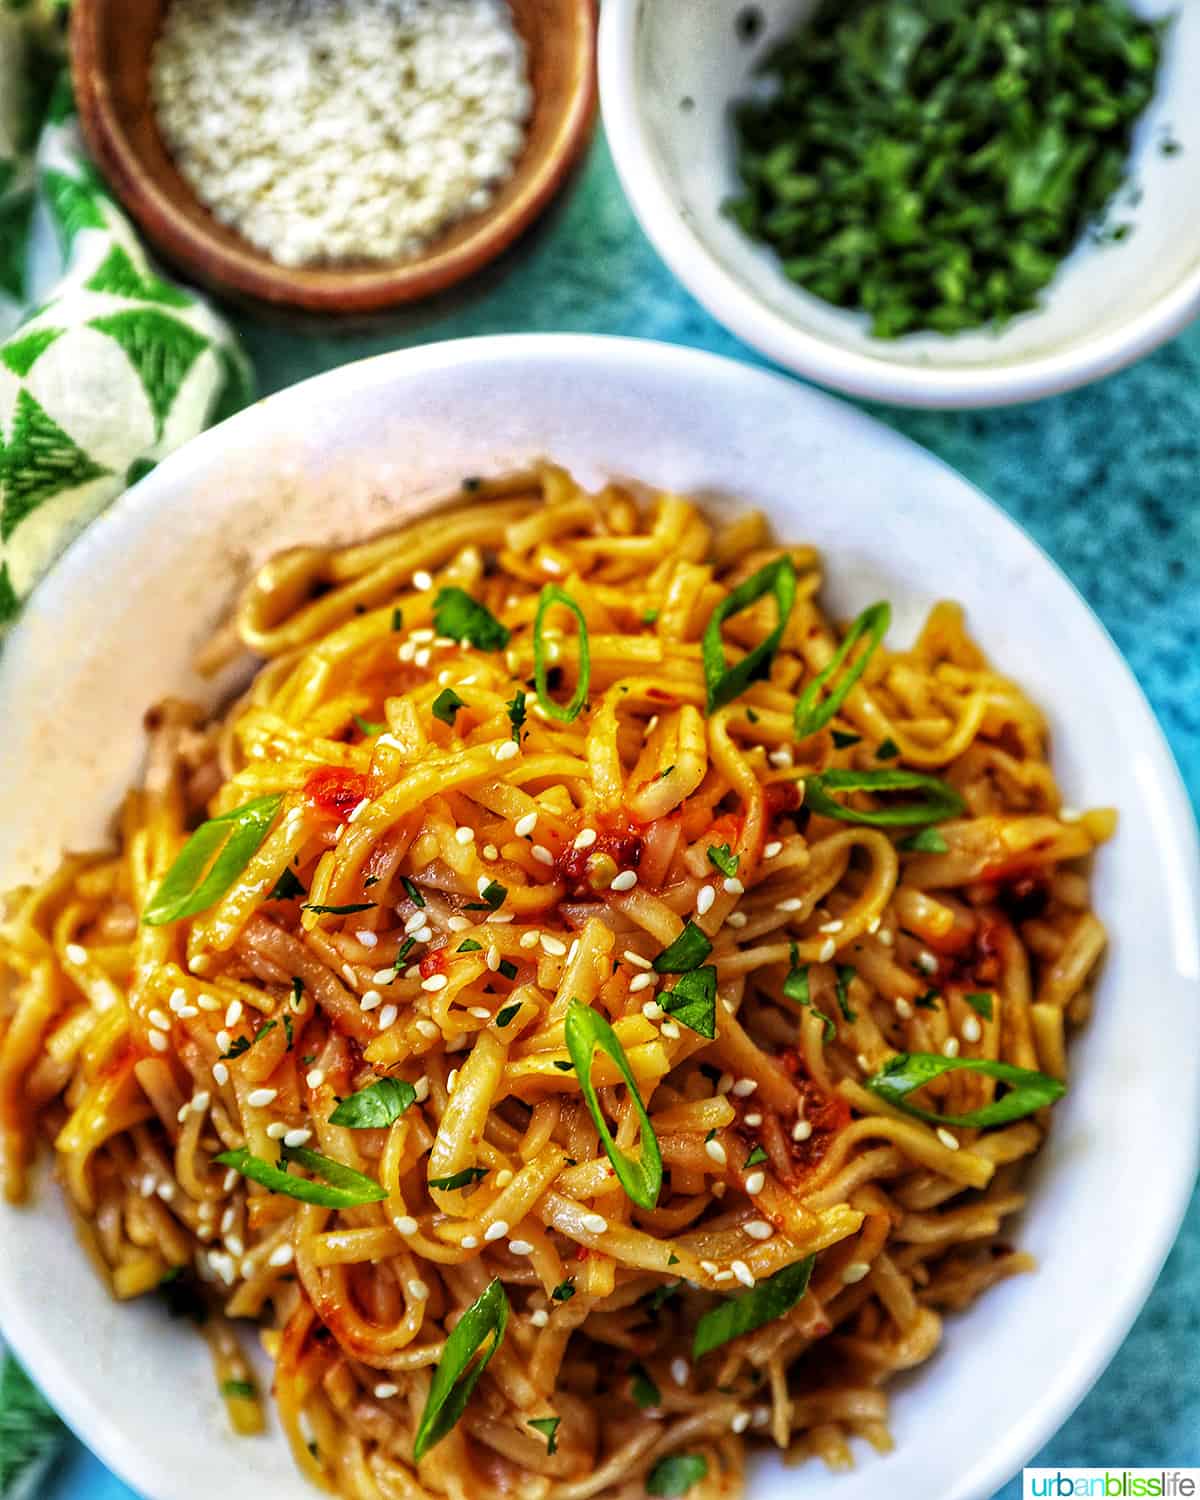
[343, 290]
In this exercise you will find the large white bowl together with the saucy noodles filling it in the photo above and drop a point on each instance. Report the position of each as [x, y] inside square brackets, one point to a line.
[572, 934]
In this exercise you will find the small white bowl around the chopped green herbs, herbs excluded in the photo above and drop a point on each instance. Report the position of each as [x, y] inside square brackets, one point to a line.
[1108, 307]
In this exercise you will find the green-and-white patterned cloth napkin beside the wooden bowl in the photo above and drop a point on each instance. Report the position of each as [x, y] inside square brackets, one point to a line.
[104, 365]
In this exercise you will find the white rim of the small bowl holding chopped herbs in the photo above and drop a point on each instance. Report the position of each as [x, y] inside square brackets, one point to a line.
[737, 308]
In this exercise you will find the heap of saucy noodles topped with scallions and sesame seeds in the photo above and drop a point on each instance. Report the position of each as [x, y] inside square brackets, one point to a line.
[586, 1006]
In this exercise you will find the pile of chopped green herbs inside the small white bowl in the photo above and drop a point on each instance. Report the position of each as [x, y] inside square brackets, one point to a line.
[932, 167]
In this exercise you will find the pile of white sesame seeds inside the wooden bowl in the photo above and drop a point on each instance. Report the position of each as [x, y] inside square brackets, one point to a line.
[332, 131]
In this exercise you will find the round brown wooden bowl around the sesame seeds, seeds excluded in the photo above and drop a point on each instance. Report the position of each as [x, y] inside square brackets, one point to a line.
[110, 53]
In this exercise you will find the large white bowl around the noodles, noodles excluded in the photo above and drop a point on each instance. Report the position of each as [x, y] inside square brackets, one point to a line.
[116, 625]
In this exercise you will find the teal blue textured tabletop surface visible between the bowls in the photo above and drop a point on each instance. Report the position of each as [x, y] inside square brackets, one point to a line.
[1108, 481]
